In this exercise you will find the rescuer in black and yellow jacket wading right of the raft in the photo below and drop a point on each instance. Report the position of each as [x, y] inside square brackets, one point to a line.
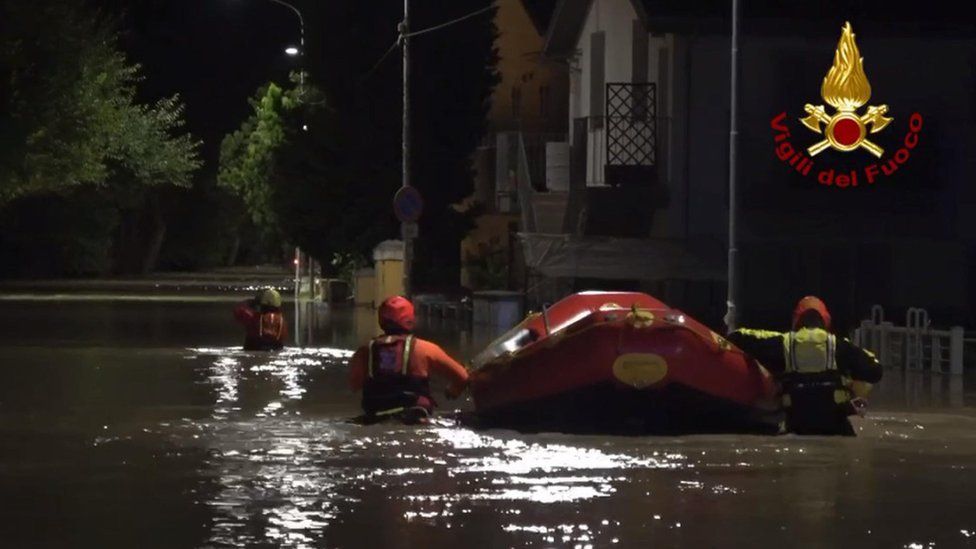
[824, 378]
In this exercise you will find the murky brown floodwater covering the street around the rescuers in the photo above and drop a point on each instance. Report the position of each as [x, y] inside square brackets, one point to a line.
[143, 424]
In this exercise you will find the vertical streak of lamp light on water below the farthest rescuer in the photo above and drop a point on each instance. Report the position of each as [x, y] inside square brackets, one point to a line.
[271, 488]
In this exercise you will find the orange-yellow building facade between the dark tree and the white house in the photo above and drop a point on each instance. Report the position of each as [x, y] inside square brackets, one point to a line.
[530, 101]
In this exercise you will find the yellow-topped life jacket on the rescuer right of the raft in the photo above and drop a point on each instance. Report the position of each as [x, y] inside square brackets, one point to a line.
[811, 366]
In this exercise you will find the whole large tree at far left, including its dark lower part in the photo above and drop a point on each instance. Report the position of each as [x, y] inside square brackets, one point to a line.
[74, 132]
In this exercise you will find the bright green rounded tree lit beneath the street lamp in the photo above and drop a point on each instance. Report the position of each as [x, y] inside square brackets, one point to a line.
[287, 166]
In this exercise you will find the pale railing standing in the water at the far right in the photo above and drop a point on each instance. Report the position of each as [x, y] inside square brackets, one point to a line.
[914, 346]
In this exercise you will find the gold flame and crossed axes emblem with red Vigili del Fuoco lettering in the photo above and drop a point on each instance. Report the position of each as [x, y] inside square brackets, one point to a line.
[844, 129]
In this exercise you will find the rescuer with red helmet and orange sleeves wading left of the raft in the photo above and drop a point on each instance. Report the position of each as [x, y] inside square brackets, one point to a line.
[393, 369]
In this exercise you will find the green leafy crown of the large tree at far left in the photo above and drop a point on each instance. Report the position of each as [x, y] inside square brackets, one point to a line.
[70, 114]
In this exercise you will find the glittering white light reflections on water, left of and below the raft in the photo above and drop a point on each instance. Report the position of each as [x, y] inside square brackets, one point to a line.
[284, 479]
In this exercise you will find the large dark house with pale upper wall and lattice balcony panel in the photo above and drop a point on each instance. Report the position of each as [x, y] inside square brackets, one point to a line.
[652, 173]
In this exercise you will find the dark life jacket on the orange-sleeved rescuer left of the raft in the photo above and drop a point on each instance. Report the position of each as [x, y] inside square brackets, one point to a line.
[389, 386]
